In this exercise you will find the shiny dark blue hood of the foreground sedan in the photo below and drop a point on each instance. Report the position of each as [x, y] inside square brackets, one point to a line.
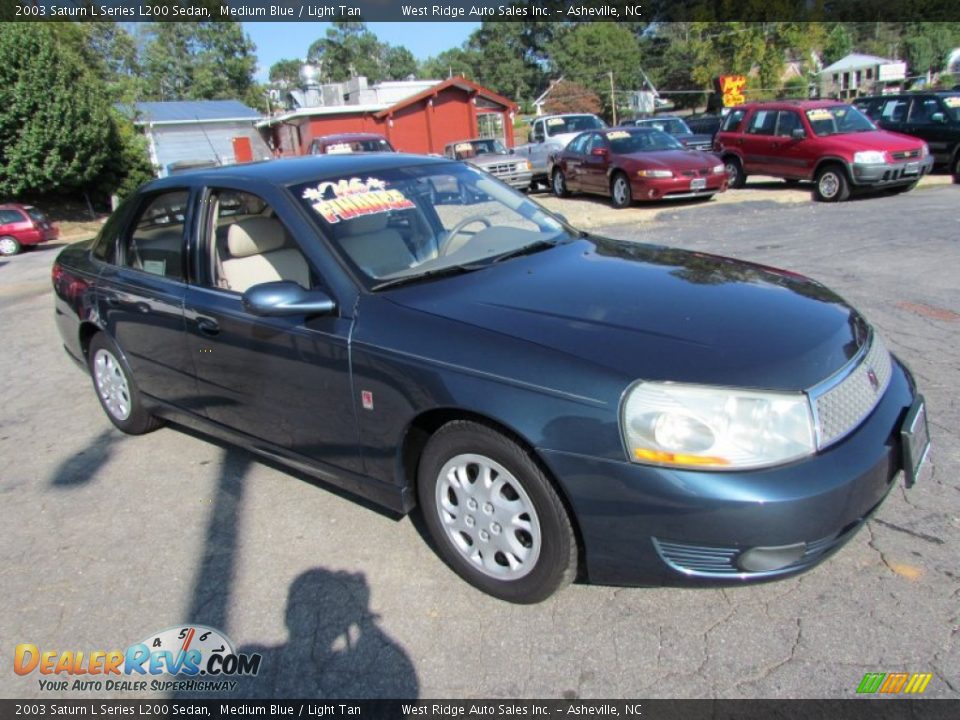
[655, 313]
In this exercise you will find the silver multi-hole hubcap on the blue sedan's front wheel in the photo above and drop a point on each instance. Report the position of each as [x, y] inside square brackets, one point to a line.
[488, 517]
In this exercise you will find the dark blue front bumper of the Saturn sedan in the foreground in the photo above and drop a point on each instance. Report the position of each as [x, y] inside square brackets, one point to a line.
[645, 525]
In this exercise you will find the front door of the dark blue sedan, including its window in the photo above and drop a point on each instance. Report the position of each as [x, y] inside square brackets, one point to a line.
[285, 380]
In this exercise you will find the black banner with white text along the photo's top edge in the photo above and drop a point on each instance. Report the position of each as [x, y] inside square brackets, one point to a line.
[479, 10]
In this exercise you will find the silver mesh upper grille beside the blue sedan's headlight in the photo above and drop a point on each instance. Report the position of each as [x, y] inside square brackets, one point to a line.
[842, 405]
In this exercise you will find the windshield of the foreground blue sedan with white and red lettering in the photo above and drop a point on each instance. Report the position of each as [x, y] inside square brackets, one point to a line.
[404, 224]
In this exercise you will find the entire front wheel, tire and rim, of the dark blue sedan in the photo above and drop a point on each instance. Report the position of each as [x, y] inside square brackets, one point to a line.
[473, 481]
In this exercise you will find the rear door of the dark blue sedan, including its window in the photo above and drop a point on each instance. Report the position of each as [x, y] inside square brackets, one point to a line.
[141, 291]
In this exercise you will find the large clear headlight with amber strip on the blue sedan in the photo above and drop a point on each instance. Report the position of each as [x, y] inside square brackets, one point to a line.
[704, 427]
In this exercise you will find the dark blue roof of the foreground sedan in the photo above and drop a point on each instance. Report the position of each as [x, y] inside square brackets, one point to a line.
[291, 171]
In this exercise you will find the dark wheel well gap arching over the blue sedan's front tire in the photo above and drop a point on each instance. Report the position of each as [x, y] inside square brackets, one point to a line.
[425, 425]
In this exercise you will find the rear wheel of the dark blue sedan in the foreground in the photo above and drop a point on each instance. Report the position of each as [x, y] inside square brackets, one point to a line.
[116, 389]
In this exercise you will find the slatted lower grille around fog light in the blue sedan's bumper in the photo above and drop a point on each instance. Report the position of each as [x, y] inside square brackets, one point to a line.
[716, 561]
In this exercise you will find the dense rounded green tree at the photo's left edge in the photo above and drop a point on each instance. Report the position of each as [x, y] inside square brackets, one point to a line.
[55, 125]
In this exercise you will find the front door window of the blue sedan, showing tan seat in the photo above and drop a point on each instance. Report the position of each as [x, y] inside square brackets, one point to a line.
[247, 244]
